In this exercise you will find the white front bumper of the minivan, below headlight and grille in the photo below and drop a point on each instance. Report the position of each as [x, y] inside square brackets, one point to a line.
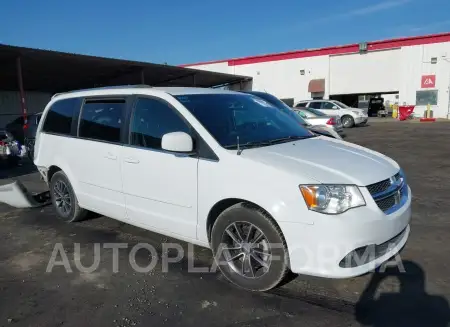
[322, 249]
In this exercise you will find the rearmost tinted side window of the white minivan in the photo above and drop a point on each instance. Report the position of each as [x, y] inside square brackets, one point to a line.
[59, 117]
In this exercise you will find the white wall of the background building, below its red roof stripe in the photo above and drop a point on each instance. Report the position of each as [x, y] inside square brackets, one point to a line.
[398, 69]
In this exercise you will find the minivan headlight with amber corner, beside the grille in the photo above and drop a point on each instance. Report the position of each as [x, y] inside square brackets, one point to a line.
[332, 199]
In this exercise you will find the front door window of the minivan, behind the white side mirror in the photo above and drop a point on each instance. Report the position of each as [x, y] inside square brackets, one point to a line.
[152, 119]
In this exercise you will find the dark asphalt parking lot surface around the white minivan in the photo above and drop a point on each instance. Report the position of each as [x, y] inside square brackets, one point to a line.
[30, 296]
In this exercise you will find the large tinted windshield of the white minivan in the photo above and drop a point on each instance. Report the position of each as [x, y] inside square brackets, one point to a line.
[244, 118]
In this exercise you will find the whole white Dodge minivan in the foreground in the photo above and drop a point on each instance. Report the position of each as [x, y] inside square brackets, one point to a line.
[226, 171]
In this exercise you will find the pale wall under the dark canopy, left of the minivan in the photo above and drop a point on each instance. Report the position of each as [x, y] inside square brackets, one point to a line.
[10, 107]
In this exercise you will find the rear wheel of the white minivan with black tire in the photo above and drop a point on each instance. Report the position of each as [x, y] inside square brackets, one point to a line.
[60, 187]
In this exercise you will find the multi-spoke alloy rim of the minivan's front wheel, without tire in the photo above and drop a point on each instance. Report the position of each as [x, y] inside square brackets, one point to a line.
[246, 250]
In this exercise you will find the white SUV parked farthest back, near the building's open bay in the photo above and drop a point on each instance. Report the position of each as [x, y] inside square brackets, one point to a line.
[349, 116]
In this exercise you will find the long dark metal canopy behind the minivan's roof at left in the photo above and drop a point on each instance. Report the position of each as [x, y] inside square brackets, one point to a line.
[52, 71]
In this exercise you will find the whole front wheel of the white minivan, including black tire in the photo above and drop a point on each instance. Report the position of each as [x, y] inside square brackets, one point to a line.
[272, 242]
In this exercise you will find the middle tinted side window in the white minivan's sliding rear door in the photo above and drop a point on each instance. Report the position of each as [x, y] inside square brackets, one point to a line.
[102, 120]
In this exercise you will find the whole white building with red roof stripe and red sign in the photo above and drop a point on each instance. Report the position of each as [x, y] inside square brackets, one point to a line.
[412, 71]
